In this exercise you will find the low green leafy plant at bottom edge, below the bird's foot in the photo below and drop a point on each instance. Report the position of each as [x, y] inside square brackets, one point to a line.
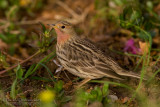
[84, 98]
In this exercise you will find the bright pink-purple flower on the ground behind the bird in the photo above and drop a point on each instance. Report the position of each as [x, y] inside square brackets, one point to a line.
[130, 47]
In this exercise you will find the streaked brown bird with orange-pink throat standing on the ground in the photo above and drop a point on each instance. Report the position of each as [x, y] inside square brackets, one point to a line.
[82, 58]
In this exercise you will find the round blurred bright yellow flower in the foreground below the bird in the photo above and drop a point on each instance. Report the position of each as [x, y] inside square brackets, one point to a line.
[47, 96]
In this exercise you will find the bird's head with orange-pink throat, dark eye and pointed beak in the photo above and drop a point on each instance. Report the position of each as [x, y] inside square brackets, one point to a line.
[64, 31]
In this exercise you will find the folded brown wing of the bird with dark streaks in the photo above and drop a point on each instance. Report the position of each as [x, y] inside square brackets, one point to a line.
[86, 58]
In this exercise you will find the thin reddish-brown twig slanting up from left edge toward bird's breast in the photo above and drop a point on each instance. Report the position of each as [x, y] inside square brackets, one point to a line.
[20, 63]
